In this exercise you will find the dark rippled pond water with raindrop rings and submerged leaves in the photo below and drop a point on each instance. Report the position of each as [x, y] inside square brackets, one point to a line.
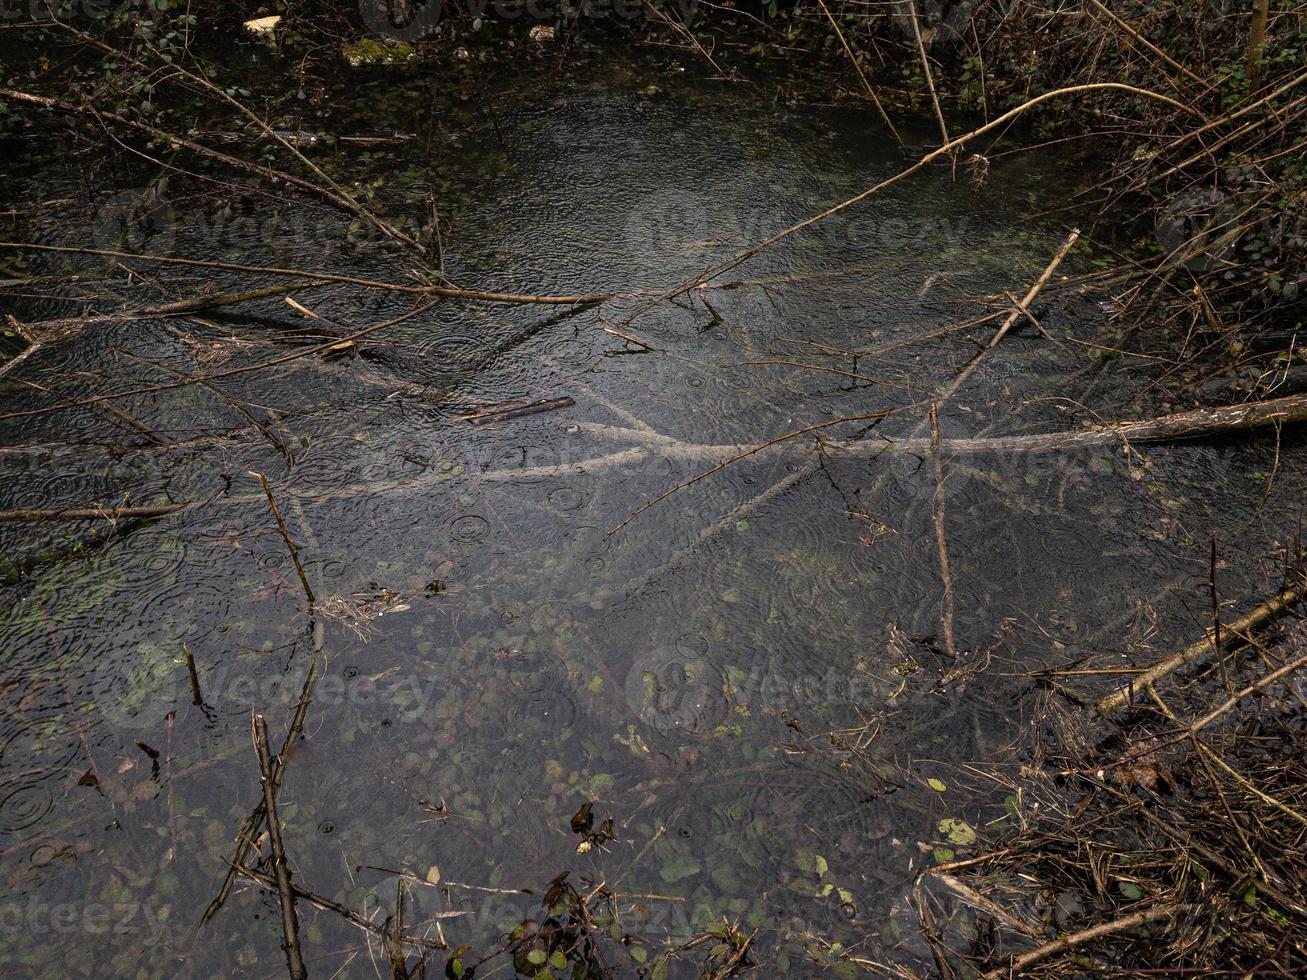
[750, 679]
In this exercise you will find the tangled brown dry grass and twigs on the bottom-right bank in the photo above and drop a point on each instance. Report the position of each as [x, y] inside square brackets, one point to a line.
[1157, 846]
